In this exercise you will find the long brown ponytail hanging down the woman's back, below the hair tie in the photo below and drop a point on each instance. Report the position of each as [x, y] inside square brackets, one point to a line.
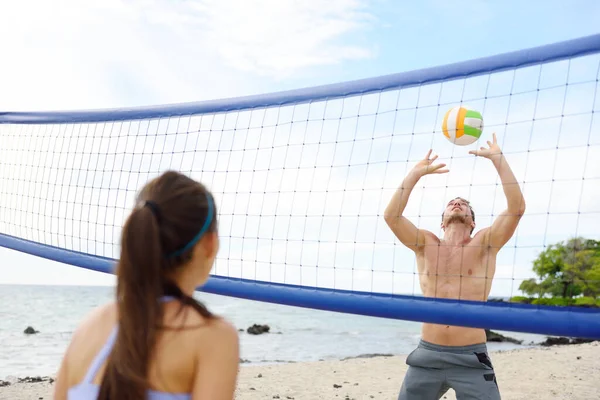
[139, 286]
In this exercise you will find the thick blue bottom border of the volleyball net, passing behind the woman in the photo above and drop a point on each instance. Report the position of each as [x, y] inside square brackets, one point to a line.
[537, 319]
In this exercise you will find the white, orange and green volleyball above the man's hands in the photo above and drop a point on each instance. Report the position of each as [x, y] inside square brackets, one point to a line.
[462, 125]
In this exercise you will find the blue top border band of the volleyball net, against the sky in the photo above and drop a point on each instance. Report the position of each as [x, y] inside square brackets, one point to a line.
[508, 61]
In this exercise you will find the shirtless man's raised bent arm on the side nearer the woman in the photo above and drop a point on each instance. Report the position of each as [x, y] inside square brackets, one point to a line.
[406, 231]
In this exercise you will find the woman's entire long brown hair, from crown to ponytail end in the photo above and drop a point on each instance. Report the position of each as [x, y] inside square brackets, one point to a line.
[172, 213]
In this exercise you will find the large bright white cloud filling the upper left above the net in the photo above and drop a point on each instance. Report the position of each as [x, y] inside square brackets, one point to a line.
[114, 53]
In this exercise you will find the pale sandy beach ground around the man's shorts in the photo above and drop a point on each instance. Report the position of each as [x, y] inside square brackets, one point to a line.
[558, 372]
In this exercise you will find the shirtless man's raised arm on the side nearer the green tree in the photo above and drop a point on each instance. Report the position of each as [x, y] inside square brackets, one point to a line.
[506, 223]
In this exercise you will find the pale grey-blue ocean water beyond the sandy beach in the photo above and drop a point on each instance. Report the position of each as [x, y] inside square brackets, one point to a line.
[297, 334]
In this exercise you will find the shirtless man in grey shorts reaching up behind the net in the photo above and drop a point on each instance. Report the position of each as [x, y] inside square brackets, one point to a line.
[457, 266]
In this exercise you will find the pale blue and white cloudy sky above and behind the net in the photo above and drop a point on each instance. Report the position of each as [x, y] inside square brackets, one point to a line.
[81, 55]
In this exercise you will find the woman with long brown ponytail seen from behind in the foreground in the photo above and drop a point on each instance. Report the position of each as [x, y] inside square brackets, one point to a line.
[156, 341]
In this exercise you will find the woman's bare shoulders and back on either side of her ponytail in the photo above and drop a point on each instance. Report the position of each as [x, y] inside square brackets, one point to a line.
[185, 359]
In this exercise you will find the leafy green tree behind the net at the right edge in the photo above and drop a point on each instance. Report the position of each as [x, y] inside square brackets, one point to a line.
[566, 270]
